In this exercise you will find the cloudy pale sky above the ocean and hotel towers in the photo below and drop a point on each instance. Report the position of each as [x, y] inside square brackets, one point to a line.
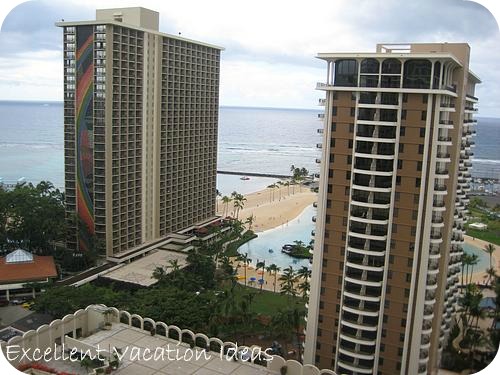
[270, 45]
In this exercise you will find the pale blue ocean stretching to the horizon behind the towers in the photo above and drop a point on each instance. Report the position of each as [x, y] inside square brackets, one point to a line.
[265, 140]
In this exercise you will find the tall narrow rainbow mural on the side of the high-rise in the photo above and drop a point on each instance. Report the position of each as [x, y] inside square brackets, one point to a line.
[85, 135]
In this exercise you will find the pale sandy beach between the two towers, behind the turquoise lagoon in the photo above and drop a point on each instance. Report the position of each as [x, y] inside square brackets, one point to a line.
[272, 207]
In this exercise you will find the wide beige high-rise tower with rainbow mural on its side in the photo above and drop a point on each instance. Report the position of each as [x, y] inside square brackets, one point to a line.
[140, 130]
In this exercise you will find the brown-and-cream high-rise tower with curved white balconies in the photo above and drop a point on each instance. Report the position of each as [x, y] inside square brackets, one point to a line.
[395, 172]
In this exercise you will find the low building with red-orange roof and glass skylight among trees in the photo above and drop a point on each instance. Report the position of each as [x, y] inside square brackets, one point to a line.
[20, 267]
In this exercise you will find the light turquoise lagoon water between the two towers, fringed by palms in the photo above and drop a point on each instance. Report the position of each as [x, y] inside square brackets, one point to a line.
[297, 229]
